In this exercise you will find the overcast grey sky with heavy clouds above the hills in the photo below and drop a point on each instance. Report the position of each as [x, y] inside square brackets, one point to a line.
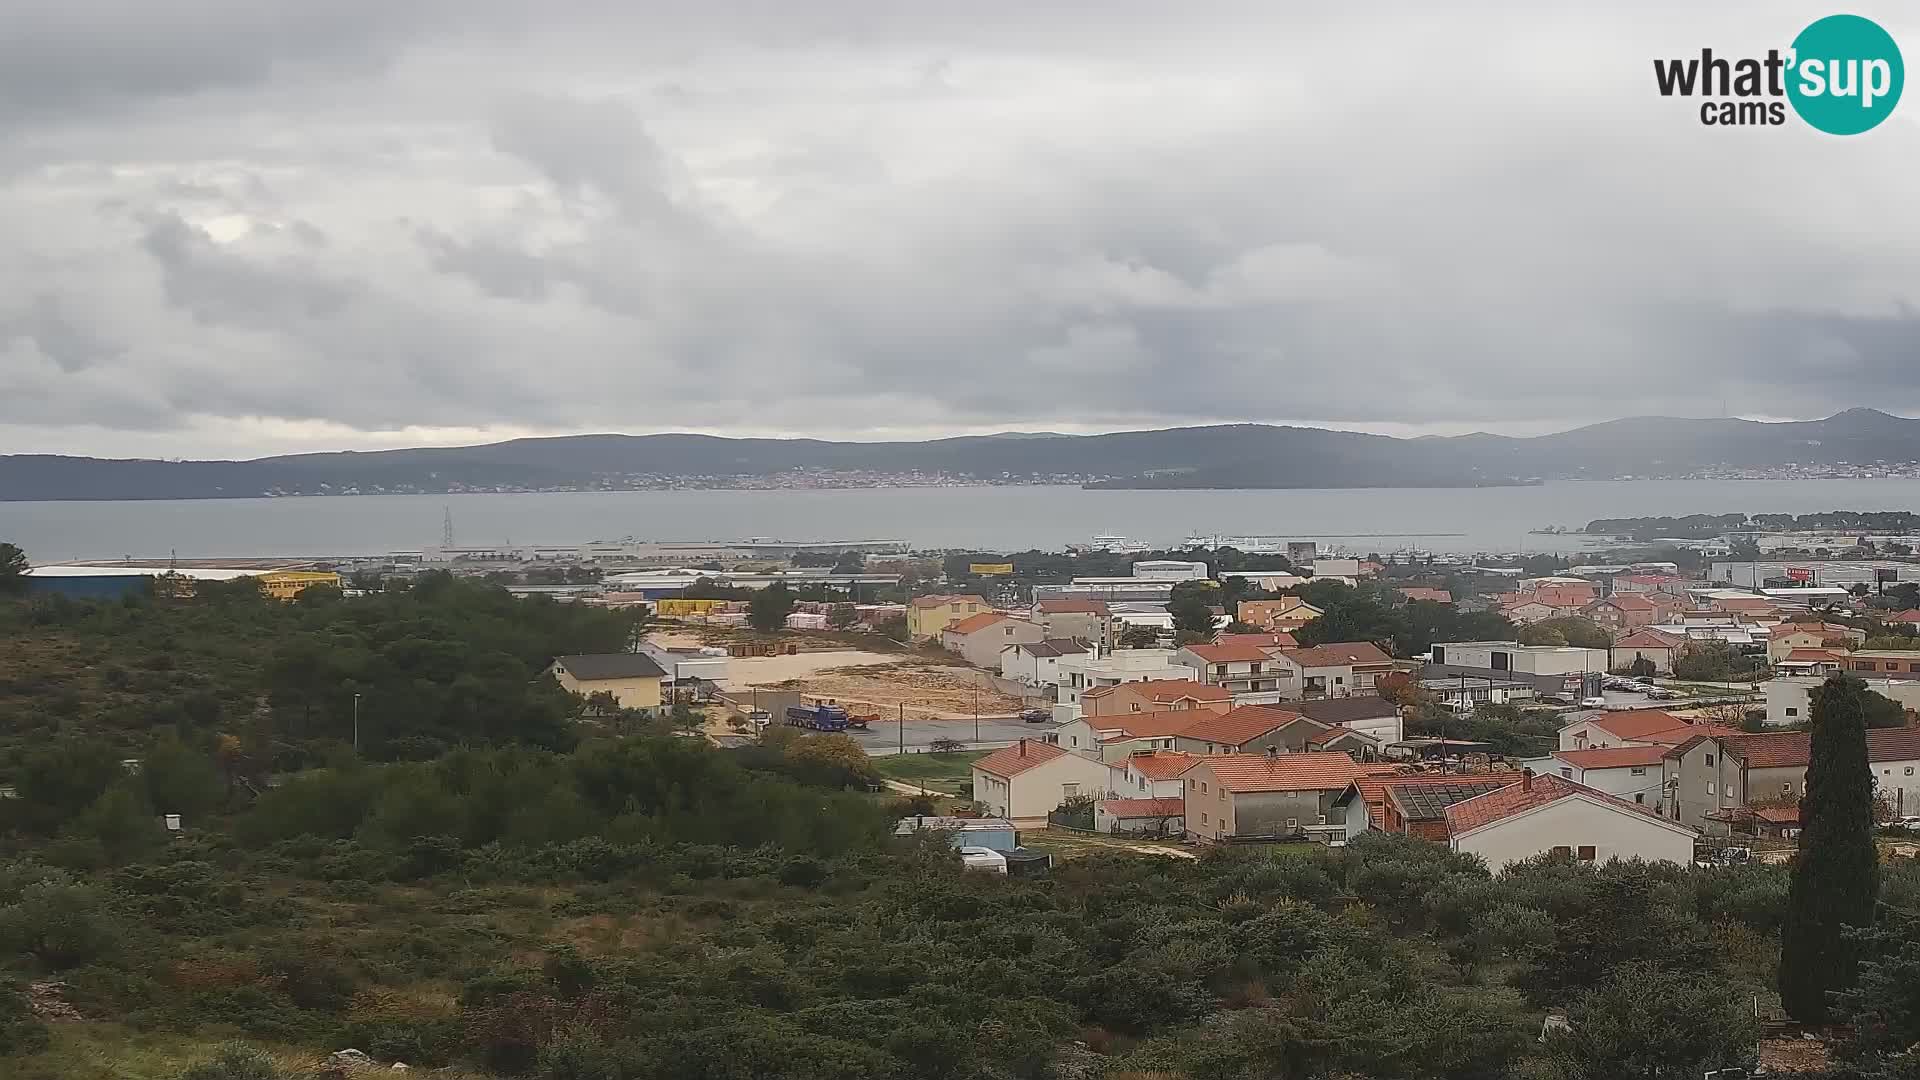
[241, 228]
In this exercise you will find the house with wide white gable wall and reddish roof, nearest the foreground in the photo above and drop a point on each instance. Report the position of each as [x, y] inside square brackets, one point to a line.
[1552, 814]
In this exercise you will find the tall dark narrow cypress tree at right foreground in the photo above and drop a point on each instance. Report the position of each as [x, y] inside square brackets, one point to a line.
[1836, 877]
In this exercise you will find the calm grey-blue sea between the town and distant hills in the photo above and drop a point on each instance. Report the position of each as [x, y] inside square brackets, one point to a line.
[1376, 520]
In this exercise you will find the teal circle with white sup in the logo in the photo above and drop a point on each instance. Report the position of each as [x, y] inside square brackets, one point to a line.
[1846, 76]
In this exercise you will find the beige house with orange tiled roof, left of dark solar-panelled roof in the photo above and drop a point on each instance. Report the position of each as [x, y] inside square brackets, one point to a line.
[1268, 797]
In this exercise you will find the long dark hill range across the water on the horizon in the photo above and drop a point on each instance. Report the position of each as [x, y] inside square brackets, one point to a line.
[1226, 456]
